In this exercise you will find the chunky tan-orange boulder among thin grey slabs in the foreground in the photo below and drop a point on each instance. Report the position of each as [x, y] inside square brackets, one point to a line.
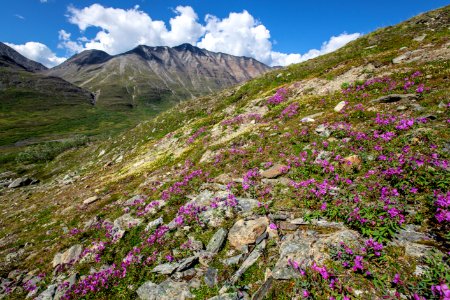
[246, 232]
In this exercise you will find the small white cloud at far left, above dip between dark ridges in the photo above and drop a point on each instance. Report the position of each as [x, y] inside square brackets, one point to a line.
[38, 52]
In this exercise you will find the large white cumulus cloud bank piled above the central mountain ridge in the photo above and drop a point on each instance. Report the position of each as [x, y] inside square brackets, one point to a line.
[239, 34]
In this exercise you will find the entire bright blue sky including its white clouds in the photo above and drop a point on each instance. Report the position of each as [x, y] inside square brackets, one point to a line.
[275, 32]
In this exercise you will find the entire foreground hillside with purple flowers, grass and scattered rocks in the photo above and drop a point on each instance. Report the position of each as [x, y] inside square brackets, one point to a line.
[323, 180]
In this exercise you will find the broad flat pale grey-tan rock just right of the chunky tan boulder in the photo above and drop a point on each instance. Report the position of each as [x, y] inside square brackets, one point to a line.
[307, 247]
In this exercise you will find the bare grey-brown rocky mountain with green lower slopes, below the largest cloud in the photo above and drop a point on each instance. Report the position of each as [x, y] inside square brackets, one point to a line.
[155, 76]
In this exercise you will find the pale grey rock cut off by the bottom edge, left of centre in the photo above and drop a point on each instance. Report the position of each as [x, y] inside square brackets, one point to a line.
[167, 290]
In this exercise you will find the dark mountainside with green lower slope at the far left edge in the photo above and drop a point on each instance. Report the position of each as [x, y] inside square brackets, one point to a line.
[34, 105]
